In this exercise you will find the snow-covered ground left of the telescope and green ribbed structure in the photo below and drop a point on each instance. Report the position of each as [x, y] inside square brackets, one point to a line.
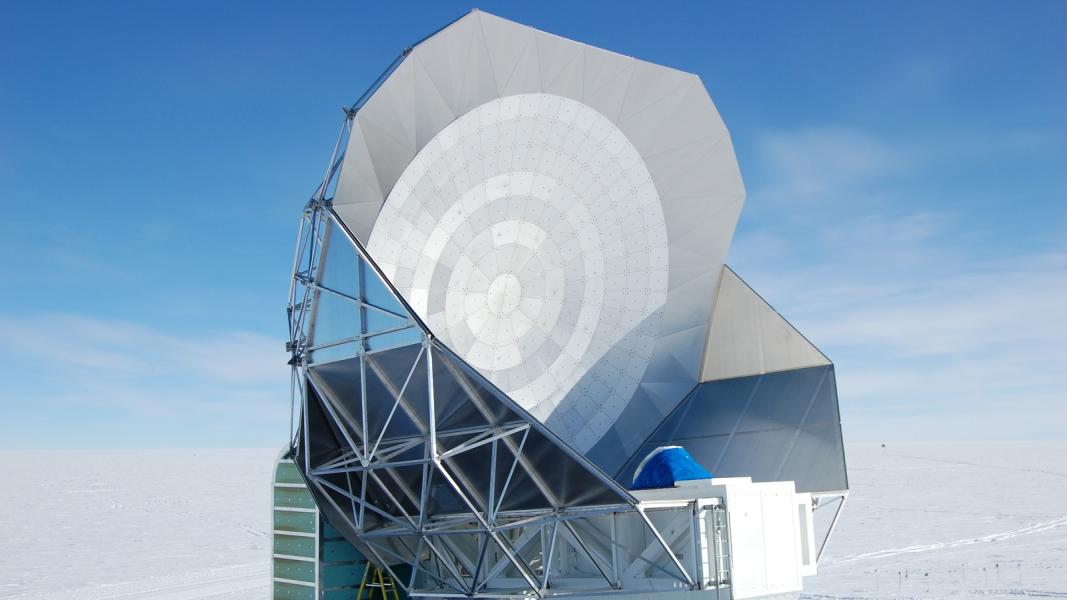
[136, 525]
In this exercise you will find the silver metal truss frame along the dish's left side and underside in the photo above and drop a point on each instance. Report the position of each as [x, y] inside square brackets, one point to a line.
[480, 548]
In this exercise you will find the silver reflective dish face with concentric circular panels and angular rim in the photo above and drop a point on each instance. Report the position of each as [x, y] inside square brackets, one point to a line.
[558, 215]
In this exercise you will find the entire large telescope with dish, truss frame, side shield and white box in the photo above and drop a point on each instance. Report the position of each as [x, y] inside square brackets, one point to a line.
[509, 290]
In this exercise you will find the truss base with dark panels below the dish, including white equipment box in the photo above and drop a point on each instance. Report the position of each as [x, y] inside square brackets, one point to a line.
[436, 476]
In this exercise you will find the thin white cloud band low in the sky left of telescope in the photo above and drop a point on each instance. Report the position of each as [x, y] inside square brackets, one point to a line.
[84, 362]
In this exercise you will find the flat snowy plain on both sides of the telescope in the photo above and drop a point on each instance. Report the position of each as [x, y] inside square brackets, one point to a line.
[923, 522]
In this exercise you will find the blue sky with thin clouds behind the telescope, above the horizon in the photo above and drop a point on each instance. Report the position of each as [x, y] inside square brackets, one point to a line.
[906, 166]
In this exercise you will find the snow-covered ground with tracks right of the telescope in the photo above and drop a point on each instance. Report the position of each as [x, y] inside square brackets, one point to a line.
[950, 522]
